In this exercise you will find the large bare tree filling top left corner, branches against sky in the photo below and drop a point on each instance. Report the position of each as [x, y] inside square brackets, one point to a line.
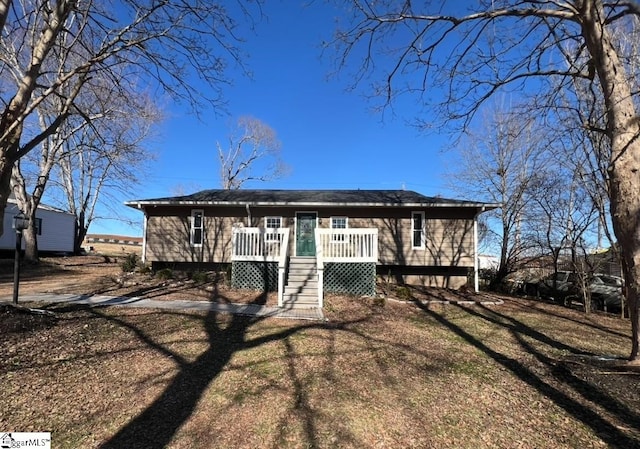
[54, 49]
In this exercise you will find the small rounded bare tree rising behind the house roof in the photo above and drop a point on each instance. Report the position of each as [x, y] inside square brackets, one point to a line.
[253, 154]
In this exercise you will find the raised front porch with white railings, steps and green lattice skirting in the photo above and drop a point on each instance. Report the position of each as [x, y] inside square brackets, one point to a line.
[342, 260]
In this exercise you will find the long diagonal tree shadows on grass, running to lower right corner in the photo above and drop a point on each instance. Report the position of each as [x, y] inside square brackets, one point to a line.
[523, 334]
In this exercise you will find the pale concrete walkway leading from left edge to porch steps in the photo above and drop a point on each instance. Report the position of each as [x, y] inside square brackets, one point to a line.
[173, 304]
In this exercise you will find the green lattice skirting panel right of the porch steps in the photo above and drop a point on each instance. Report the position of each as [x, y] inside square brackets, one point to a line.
[351, 278]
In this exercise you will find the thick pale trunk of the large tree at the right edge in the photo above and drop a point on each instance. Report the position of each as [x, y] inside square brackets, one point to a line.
[624, 169]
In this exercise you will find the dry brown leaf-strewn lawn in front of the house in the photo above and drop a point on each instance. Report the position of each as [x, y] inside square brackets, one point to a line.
[375, 375]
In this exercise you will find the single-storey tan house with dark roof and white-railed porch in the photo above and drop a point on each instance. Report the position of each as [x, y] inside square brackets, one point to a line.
[307, 242]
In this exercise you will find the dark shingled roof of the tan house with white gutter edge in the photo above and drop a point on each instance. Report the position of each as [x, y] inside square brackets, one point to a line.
[352, 198]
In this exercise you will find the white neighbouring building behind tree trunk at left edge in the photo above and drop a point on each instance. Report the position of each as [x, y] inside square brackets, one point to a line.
[55, 229]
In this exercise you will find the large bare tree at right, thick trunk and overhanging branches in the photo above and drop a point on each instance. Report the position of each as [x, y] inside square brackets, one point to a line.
[439, 49]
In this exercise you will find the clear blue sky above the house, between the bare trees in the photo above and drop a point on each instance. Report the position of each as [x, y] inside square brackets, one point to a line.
[331, 138]
